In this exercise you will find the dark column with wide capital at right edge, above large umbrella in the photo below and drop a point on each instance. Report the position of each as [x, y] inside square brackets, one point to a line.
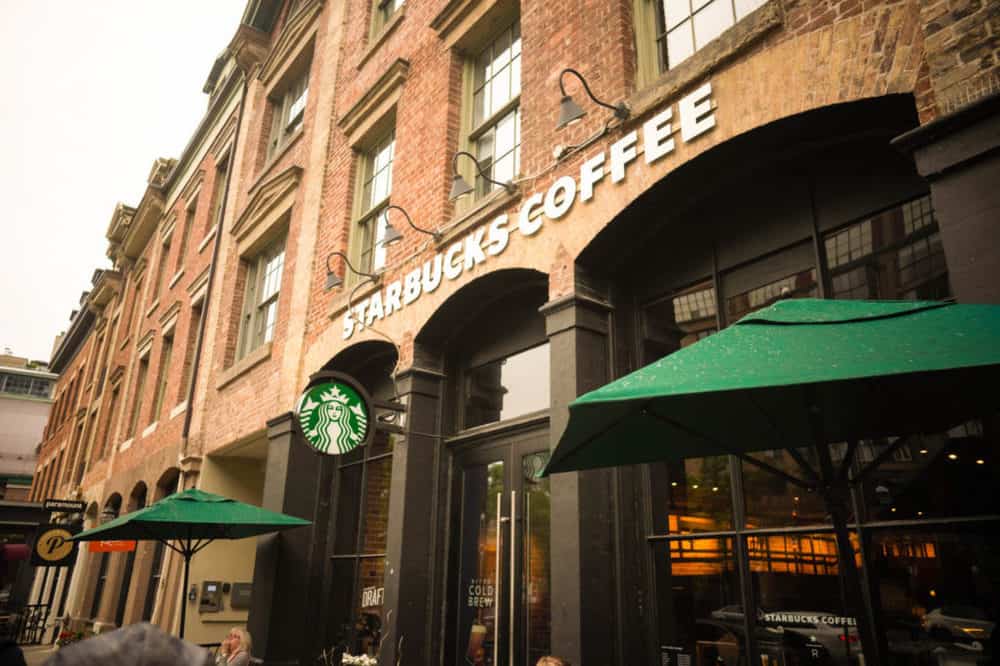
[959, 154]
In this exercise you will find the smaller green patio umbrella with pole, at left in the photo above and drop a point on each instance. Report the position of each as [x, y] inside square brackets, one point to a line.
[194, 519]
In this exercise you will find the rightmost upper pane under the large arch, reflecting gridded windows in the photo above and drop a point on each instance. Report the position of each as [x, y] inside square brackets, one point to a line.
[896, 254]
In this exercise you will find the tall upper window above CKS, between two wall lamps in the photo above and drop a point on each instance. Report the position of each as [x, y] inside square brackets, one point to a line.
[495, 136]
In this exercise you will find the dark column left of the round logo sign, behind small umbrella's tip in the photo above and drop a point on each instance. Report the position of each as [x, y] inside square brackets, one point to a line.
[288, 569]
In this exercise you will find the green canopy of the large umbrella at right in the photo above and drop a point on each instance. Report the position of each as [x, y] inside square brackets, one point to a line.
[862, 368]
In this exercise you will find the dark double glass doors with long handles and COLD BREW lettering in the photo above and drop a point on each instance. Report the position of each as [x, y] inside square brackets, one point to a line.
[500, 536]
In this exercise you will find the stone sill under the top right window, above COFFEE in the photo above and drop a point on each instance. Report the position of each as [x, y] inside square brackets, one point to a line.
[707, 60]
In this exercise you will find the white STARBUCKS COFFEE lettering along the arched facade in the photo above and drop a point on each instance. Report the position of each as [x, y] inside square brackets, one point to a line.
[695, 115]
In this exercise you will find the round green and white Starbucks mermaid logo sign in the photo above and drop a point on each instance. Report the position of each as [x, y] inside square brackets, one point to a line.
[334, 417]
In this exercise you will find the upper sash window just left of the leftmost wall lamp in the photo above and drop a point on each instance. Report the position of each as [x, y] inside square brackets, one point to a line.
[260, 302]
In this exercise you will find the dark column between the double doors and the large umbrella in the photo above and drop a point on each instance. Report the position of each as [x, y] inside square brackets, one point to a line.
[583, 585]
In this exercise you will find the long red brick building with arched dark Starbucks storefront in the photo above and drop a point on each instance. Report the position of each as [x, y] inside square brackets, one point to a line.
[748, 150]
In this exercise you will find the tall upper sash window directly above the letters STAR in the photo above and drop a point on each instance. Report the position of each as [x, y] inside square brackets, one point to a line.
[375, 188]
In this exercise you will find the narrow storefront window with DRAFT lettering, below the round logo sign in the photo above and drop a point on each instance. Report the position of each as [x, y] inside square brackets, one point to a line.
[359, 548]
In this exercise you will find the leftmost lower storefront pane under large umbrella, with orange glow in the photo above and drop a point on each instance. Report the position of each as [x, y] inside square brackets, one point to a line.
[700, 620]
